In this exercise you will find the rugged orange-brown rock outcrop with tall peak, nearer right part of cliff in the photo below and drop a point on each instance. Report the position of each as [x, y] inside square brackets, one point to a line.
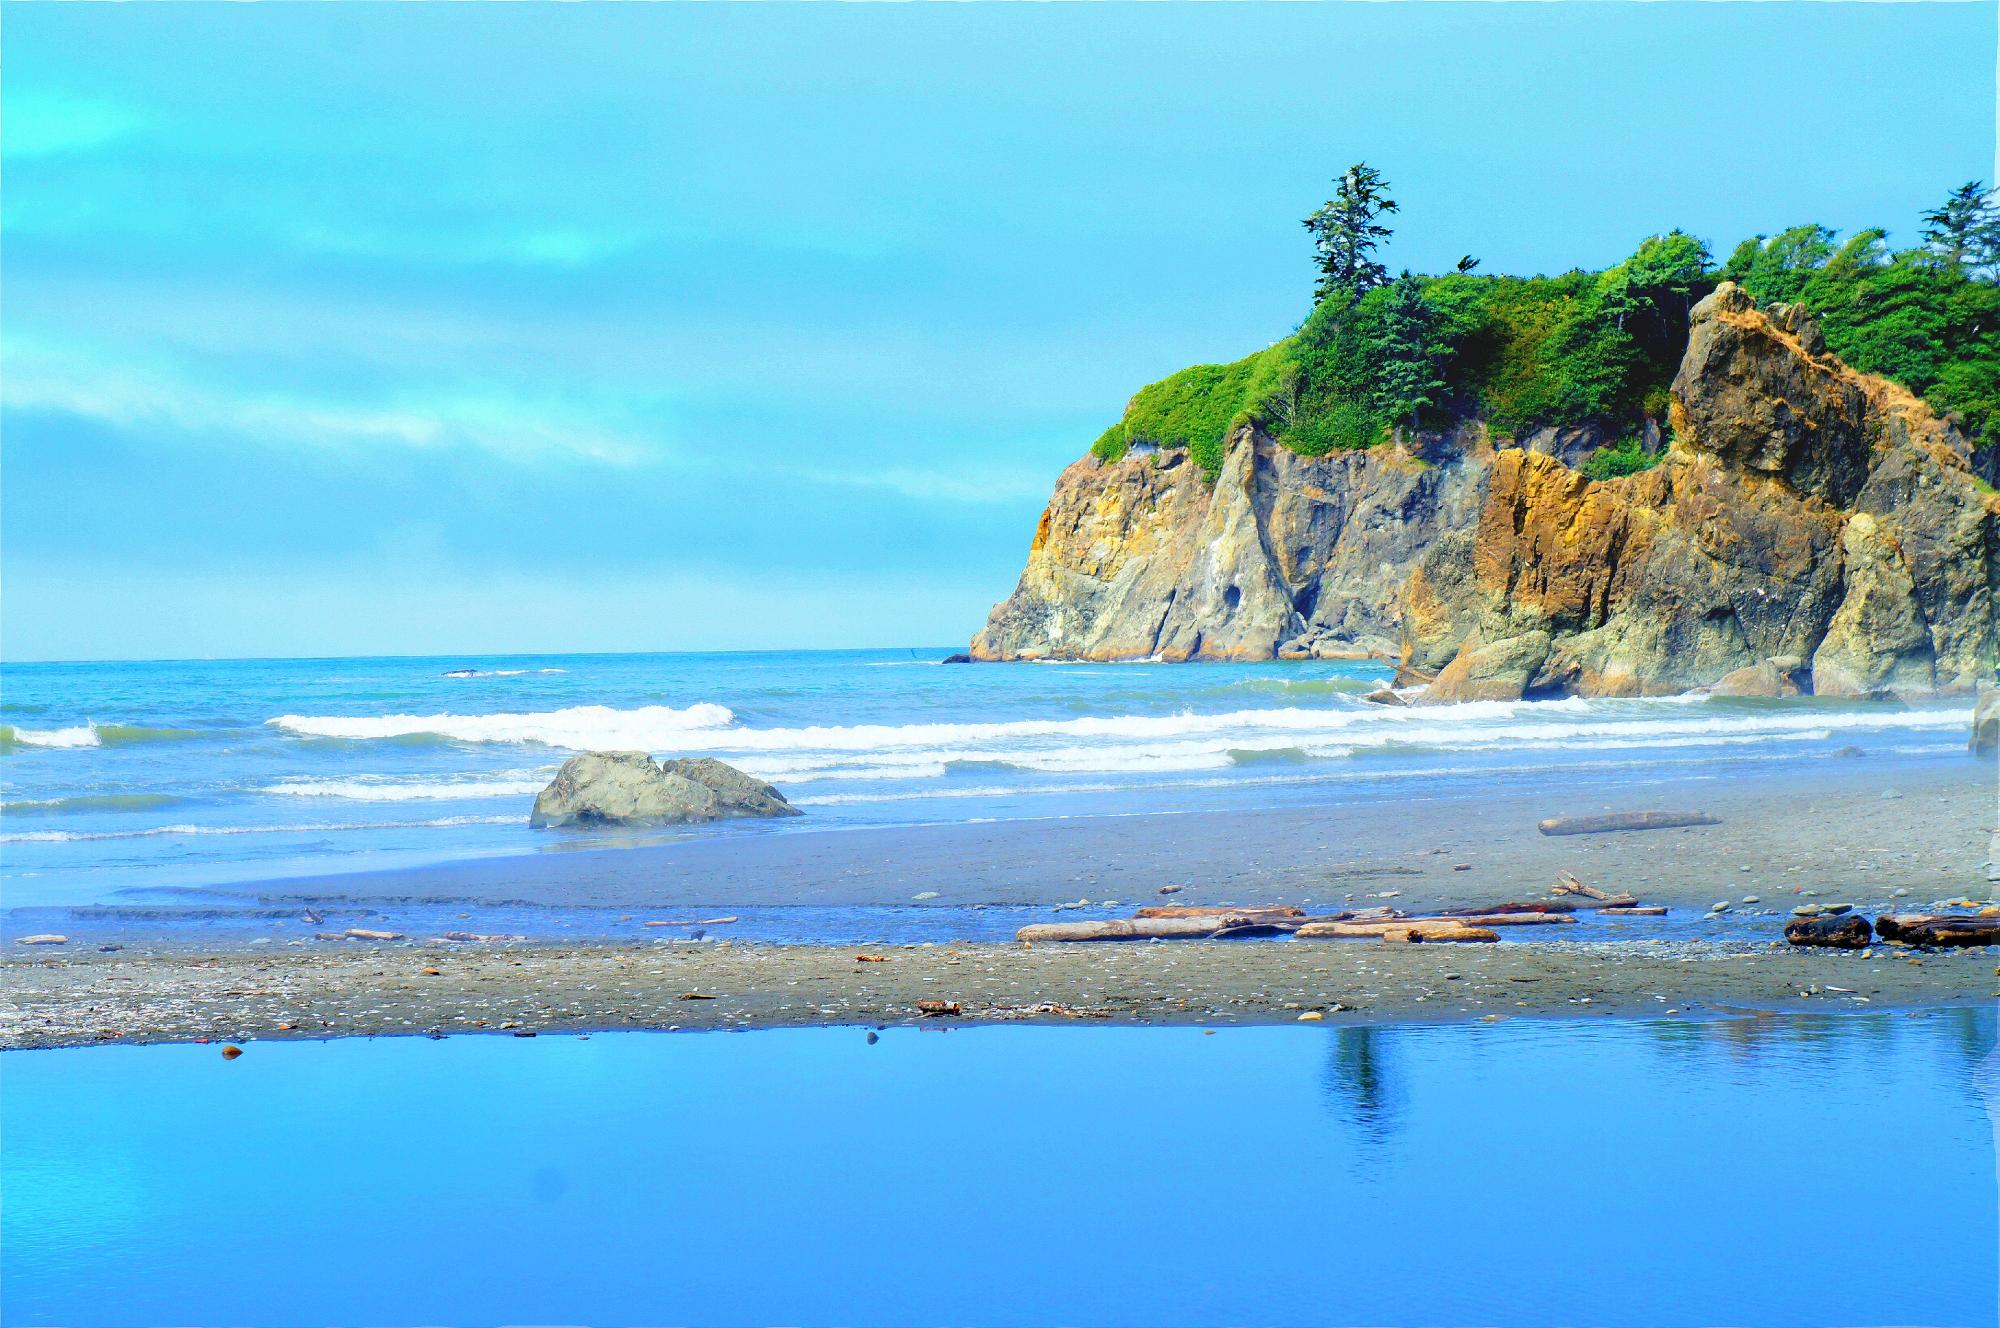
[1803, 513]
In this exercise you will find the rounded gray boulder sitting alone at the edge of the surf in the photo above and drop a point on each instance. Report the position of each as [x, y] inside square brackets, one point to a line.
[631, 789]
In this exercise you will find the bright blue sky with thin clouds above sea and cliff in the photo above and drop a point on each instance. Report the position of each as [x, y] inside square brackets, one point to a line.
[487, 329]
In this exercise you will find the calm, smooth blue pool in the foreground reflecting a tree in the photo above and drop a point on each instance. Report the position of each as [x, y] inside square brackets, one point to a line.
[1619, 1173]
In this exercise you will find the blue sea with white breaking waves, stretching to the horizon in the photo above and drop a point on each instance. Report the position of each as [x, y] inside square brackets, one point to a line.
[201, 773]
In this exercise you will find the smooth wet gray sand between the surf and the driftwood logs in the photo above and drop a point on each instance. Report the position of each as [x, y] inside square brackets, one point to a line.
[1859, 829]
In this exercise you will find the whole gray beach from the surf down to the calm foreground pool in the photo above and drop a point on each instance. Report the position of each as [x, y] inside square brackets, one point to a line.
[273, 959]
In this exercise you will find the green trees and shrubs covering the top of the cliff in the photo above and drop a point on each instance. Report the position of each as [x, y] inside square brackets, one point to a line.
[1583, 349]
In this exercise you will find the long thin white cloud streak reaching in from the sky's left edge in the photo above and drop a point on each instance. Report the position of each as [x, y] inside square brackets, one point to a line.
[131, 399]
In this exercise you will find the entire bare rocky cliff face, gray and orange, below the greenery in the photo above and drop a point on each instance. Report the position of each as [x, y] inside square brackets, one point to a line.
[1805, 521]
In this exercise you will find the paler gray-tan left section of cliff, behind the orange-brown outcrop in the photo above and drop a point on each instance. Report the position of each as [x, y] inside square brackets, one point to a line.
[1283, 557]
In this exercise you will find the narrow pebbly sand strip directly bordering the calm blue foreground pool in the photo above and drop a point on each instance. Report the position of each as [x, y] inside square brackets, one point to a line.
[247, 995]
